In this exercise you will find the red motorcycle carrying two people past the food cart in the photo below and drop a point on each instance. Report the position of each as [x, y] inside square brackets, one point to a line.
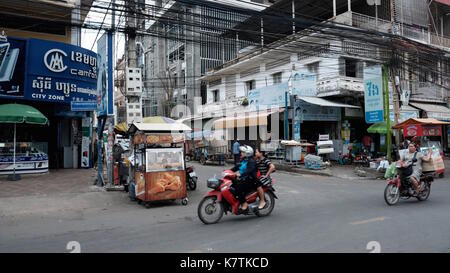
[222, 200]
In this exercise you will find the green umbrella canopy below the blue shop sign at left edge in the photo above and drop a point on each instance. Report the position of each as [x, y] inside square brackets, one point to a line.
[20, 113]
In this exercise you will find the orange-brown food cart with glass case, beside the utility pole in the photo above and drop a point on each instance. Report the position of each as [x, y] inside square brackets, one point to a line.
[159, 166]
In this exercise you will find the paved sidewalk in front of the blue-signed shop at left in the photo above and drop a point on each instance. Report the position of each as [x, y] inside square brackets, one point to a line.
[55, 193]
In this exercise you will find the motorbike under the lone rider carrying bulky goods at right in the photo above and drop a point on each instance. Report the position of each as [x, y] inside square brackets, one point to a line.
[400, 187]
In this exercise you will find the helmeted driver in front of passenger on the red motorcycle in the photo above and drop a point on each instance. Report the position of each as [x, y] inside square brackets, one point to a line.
[246, 171]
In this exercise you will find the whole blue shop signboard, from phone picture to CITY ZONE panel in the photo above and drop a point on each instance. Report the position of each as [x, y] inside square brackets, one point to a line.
[42, 70]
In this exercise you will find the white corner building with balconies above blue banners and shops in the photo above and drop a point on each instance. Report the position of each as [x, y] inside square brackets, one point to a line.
[334, 41]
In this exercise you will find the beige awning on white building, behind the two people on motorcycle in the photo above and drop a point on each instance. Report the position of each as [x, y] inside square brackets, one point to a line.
[245, 119]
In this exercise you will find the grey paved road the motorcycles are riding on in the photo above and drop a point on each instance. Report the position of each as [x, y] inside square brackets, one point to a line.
[313, 214]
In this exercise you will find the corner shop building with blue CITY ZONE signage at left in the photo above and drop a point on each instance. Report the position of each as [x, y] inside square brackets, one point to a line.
[43, 65]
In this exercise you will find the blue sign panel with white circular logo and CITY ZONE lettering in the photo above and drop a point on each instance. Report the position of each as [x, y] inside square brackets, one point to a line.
[59, 72]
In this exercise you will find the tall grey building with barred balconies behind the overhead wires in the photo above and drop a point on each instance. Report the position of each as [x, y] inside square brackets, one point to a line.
[187, 41]
